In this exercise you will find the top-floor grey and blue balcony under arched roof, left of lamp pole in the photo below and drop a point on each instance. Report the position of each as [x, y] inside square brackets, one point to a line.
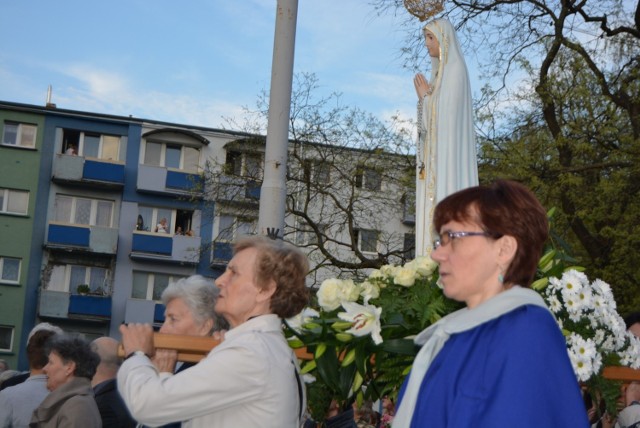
[156, 179]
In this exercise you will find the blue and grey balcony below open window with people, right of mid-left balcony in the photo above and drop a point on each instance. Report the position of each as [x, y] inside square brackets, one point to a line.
[167, 248]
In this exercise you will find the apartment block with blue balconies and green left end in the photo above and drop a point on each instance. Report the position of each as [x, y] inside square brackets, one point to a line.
[99, 213]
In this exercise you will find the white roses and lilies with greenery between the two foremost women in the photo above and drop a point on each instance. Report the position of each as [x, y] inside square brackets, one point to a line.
[361, 333]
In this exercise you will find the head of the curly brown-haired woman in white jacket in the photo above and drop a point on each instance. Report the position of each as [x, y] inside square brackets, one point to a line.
[265, 276]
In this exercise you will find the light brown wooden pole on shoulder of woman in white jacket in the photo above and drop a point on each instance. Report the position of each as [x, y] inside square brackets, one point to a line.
[194, 348]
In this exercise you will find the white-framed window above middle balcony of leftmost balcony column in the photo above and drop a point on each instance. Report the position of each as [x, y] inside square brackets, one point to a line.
[76, 210]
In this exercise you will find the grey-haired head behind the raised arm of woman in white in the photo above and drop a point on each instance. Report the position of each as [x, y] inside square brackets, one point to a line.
[190, 304]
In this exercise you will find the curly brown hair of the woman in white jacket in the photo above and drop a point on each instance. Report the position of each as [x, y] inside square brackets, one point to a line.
[286, 265]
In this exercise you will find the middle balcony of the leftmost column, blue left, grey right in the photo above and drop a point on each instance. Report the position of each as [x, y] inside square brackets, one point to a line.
[80, 237]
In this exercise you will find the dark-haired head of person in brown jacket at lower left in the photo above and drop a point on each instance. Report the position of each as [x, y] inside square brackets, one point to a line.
[69, 356]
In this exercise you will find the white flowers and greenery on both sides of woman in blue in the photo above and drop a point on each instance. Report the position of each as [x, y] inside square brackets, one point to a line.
[361, 333]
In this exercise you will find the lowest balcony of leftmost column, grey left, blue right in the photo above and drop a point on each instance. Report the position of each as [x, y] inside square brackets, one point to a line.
[61, 304]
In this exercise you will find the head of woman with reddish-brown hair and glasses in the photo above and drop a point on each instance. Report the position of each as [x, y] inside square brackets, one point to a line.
[491, 238]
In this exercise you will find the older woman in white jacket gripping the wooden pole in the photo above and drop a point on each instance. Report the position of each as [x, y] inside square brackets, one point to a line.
[251, 378]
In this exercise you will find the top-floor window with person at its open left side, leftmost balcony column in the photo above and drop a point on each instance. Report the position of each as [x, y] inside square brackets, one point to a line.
[91, 145]
